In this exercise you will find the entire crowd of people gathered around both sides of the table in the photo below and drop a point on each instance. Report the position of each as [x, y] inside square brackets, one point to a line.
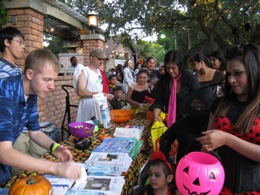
[213, 107]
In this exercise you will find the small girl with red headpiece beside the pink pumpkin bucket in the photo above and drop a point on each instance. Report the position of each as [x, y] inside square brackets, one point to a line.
[161, 176]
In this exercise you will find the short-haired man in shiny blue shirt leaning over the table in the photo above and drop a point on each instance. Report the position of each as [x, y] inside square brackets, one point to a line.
[18, 105]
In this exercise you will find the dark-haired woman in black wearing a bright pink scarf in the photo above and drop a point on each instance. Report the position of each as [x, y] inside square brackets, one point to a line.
[175, 72]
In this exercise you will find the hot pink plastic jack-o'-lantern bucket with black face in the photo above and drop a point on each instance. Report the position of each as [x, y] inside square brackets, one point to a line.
[199, 173]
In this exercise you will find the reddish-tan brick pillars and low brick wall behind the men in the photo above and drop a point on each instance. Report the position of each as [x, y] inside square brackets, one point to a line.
[31, 23]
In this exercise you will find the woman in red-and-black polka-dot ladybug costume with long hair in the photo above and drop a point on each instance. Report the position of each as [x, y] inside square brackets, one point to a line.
[234, 128]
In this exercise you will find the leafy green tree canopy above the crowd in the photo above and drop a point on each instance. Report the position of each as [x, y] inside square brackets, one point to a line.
[220, 22]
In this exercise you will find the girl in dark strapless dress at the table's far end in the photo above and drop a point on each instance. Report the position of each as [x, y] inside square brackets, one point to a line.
[137, 92]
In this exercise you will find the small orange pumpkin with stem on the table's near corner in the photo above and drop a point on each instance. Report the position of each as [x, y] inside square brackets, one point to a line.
[31, 185]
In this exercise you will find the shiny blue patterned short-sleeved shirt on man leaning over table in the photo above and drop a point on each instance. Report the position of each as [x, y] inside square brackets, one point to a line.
[16, 113]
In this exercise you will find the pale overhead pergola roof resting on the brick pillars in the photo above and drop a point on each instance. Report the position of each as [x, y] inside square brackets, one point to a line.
[59, 19]
